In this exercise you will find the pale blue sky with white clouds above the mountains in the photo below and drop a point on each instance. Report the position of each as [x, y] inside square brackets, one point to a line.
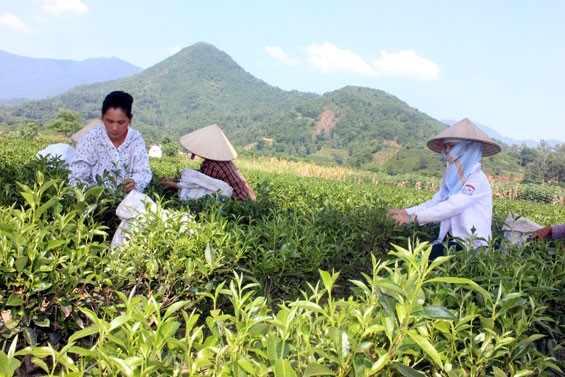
[499, 63]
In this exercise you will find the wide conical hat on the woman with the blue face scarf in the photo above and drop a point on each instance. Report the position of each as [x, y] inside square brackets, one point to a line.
[464, 130]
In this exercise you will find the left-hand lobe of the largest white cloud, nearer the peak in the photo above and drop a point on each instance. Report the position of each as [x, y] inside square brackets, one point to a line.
[328, 57]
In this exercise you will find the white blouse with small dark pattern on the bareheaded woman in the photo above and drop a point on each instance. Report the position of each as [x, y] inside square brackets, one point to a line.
[98, 160]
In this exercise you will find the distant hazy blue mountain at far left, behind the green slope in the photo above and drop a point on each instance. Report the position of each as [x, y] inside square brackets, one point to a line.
[31, 78]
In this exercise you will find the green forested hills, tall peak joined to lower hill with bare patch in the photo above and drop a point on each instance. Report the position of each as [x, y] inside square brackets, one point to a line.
[202, 85]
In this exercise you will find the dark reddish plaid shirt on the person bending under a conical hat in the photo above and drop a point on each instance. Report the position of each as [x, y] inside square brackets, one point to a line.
[227, 172]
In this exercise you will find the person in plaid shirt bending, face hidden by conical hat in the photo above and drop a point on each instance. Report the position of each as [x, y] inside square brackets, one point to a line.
[213, 146]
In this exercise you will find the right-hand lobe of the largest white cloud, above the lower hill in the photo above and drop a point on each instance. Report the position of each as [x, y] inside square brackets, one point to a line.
[406, 64]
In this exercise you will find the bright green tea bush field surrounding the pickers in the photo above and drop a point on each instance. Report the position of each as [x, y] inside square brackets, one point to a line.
[313, 279]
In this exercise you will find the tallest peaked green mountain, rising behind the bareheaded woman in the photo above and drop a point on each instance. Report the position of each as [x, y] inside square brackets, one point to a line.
[197, 86]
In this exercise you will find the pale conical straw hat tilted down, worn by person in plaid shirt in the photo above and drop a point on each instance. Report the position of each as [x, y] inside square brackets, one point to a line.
[209, 143]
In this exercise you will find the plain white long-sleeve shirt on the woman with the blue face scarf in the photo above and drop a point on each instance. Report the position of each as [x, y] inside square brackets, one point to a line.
[468, 209]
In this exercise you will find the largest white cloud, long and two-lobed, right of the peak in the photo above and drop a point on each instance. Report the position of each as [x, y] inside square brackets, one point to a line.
[406, 64]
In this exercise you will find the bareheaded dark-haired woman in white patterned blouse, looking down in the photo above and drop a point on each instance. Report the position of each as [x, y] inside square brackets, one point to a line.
[112, 154]
